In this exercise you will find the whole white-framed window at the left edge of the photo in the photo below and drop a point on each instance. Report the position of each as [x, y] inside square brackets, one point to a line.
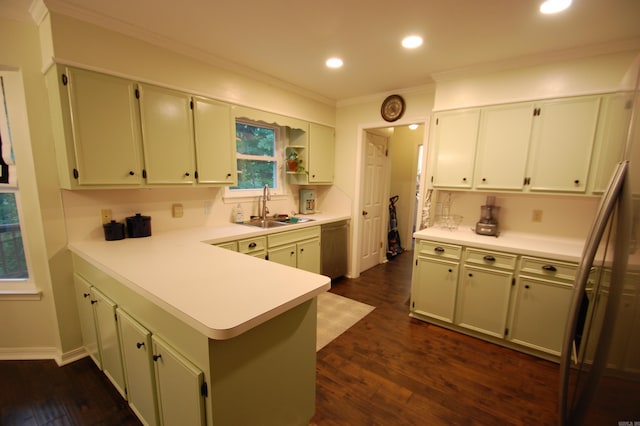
[13, 263]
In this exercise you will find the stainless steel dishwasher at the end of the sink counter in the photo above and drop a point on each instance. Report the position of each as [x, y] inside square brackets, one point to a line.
[334, 249]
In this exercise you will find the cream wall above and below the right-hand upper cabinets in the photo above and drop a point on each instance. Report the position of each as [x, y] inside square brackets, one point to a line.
[566, 216]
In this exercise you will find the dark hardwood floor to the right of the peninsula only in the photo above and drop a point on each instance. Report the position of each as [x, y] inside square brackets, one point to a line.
[390, 369]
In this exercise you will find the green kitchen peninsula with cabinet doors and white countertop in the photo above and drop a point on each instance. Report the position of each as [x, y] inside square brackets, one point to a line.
[224, 337]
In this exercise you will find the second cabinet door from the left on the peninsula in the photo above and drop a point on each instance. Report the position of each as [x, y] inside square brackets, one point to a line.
[109, 340]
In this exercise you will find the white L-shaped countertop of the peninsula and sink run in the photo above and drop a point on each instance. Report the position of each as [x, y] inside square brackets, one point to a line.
[219, 292]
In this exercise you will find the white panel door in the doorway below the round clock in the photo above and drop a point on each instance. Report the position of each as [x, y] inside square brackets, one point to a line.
[371, 230]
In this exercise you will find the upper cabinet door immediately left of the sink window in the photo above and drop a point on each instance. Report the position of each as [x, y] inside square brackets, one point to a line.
[215, 143]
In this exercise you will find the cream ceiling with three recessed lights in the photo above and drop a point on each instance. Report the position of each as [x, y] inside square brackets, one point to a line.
[287, 41]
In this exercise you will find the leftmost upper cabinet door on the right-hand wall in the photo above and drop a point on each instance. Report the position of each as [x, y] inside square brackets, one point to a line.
[454, 135]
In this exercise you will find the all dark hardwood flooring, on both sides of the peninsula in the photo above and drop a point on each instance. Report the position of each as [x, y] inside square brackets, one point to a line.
[388, 369]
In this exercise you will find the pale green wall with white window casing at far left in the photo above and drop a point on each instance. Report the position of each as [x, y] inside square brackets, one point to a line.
[30, 328]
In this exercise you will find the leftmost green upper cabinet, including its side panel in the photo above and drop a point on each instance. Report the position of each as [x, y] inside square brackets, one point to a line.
[96, 128]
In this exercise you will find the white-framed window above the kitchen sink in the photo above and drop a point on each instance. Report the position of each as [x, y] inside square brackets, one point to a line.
[259, 153]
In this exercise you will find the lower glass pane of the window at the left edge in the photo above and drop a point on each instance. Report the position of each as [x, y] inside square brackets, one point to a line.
[12, 261]
